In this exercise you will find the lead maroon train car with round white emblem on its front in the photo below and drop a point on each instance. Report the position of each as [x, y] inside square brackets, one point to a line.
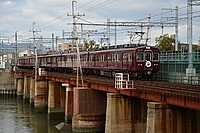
[139, 62]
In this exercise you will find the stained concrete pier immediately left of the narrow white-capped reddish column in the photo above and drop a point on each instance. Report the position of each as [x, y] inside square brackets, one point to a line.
[56, 101]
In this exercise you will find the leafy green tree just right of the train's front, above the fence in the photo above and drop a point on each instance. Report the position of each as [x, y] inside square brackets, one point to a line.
[165, 42]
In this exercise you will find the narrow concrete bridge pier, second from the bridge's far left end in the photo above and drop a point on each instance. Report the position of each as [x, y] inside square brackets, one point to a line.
[26, 92]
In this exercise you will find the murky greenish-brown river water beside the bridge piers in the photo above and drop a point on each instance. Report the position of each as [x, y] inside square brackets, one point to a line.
[19, 117]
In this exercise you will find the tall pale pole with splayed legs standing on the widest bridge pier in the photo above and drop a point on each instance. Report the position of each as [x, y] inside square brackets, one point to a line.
[75, 37]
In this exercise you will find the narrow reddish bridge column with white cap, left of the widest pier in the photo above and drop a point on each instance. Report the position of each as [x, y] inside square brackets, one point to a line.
[69, 108]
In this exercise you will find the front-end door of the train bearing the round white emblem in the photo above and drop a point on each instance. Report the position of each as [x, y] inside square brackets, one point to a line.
[148, 60]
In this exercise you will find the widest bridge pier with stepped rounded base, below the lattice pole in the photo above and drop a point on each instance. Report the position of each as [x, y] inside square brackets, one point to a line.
[89, 110]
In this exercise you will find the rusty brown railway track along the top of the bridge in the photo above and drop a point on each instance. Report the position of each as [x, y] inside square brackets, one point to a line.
[155, 87]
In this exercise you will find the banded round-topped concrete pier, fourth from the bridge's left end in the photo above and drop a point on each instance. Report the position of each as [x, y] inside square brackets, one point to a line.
[41, 95]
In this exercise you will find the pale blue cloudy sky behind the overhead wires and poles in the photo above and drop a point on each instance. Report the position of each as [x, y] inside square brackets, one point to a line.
[51, 17]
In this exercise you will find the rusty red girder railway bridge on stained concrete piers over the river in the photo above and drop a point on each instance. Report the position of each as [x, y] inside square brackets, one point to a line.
[113, 105]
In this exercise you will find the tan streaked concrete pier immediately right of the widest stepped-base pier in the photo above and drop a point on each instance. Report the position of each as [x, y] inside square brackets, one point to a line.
[118, 114]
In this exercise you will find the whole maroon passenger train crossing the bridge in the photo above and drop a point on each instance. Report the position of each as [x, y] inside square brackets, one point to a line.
[139, 62]
